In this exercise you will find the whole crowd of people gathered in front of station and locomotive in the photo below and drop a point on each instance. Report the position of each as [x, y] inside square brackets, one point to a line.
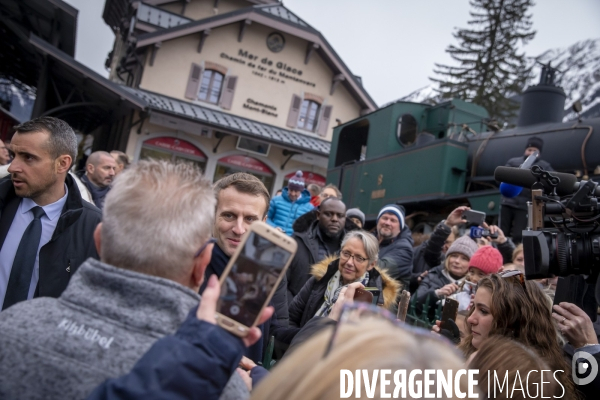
[109, 287]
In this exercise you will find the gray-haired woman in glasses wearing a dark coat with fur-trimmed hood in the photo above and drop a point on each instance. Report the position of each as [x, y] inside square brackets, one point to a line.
[357, 263]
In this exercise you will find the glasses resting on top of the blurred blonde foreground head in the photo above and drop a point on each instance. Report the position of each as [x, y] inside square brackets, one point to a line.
[356, 312]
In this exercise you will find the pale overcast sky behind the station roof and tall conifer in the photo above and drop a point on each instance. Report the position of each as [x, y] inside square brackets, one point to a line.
[391, 44]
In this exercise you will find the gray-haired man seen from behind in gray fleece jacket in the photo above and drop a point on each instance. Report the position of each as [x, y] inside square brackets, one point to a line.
[154, 244]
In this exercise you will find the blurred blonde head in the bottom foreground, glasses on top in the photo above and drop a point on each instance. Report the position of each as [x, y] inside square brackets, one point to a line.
[310, 372]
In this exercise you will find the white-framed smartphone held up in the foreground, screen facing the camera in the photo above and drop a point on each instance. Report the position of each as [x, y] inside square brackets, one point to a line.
[252, 276]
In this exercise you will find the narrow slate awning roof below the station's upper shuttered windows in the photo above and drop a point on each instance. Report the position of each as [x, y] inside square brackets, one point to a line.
[233, 124]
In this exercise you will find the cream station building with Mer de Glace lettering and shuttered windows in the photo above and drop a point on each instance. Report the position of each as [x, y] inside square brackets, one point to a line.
[231, 85]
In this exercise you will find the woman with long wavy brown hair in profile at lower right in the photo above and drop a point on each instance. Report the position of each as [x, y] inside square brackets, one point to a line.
[508, 305]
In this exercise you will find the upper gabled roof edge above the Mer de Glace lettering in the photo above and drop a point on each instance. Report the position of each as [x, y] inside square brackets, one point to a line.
[277, 17]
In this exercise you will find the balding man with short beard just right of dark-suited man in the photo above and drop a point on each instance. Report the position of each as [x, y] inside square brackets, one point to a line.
[100, 170]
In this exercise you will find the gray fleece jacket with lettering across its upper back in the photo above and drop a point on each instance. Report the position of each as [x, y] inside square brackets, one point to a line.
[104, 321]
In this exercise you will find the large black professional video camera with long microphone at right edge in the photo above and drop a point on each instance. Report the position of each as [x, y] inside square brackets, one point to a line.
[572, 247]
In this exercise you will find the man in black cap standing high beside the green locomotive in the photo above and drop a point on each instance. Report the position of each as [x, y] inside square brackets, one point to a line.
[513, 213]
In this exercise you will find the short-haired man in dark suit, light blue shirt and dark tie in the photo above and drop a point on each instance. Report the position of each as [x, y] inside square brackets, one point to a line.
[46, 229]
